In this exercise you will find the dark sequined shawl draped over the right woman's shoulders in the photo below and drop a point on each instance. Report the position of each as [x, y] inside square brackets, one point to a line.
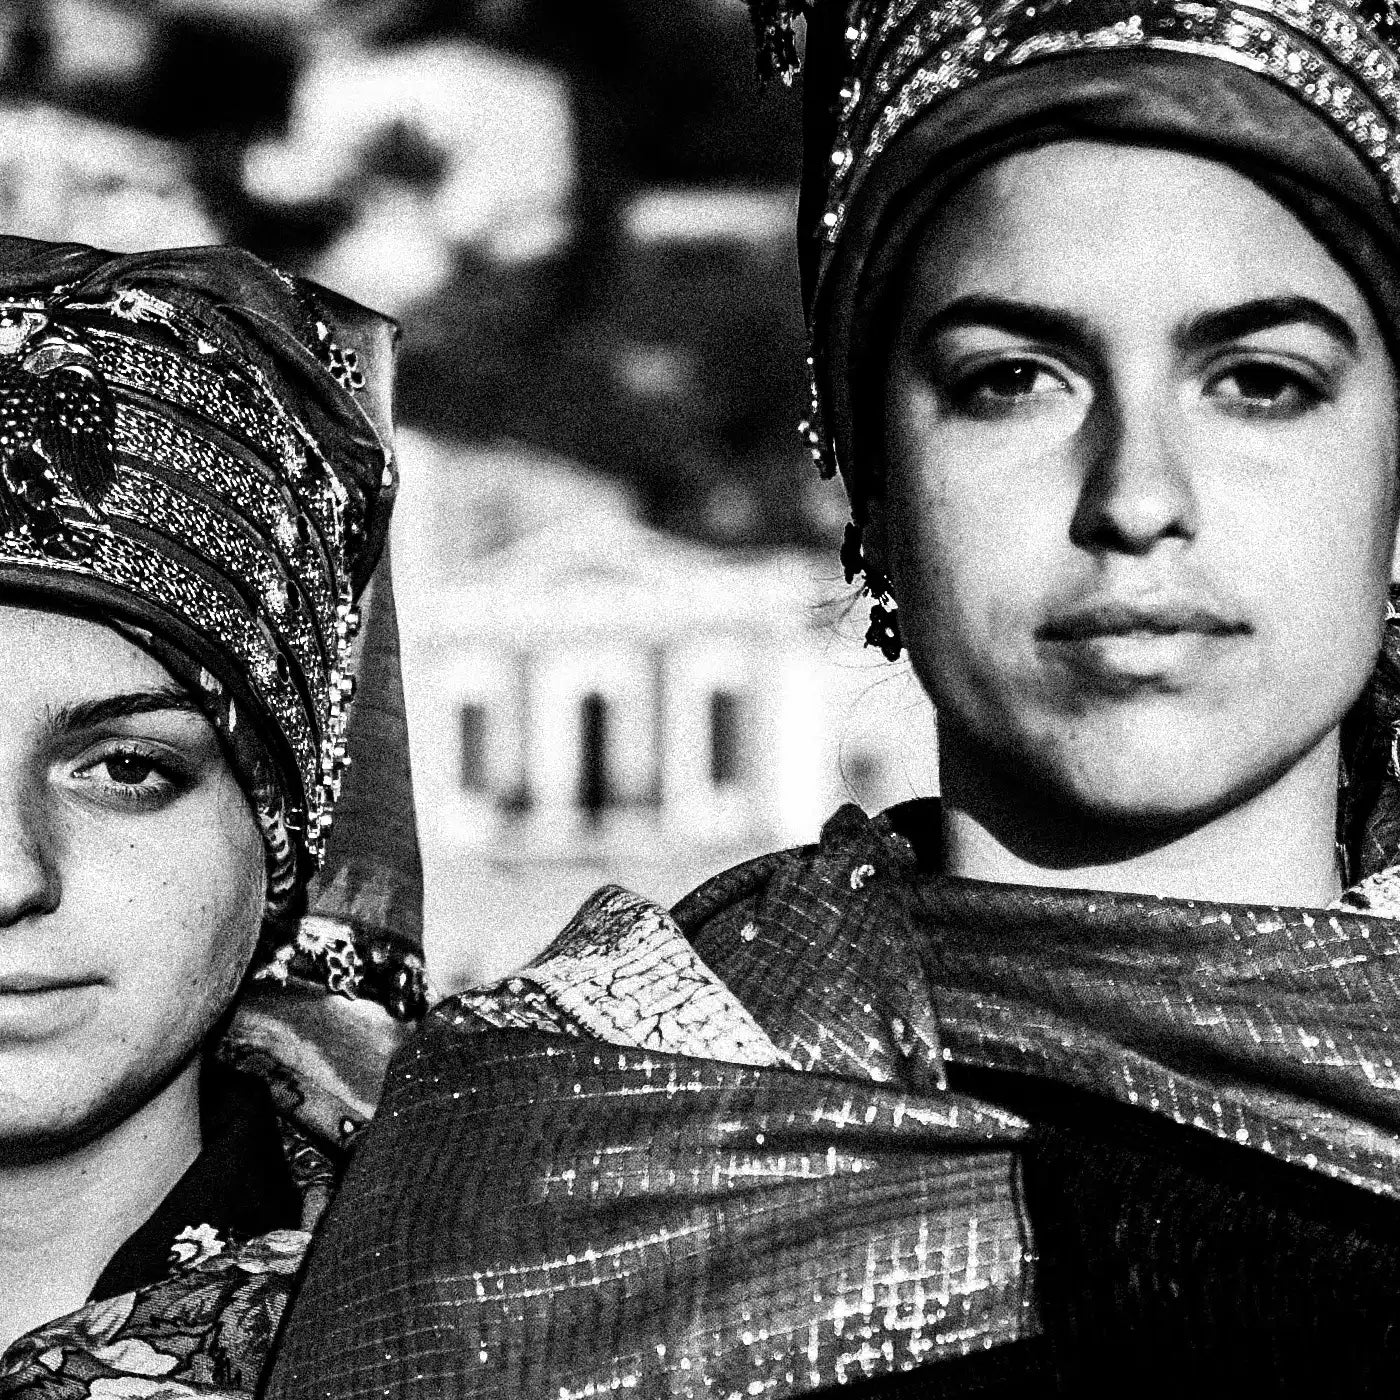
[779, 1140]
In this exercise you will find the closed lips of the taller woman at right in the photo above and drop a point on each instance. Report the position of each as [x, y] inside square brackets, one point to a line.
[1125, 646]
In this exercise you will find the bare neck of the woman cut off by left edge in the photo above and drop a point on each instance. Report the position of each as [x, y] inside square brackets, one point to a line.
[64, 1217]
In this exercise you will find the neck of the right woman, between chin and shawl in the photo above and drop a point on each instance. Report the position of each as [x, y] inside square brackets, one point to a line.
[1275, 848]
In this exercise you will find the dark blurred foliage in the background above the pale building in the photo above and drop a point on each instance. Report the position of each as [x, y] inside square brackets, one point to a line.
[675, 366]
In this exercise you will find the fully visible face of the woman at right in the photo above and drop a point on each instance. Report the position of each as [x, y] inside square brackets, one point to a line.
[1140, 507]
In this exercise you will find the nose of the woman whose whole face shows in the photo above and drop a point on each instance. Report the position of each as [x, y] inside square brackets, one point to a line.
[1136, 488]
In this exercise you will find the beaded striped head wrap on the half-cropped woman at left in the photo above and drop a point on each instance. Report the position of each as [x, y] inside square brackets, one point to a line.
[195, 449]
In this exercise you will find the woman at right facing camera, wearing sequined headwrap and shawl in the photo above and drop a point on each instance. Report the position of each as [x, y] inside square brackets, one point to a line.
[1084, 1077]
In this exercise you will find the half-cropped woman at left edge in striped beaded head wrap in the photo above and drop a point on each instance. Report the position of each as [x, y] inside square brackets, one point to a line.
[195, 481]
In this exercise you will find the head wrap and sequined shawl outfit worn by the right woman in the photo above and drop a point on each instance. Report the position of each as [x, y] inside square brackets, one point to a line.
[841, 1121]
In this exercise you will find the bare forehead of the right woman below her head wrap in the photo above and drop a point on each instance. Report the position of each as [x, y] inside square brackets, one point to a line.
[1123, 225]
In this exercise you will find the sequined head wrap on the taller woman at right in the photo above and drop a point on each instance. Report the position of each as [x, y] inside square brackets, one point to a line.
[905, 99]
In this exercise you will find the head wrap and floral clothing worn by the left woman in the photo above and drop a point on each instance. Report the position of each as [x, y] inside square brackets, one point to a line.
[195, 450]
